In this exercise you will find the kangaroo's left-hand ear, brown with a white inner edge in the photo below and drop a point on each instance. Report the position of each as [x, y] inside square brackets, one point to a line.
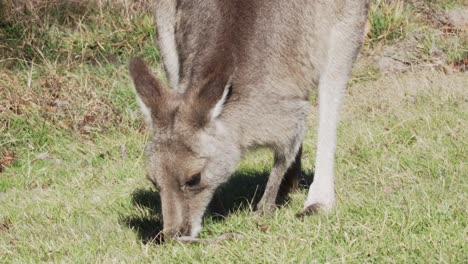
[152, 96]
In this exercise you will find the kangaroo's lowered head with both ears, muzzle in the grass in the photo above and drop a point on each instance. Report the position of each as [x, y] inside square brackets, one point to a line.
[189, 155]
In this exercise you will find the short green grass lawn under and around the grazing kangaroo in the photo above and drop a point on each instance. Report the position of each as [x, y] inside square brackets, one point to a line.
[401, 185]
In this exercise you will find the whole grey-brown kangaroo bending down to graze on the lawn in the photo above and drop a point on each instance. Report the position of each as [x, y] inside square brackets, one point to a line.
[240, 73]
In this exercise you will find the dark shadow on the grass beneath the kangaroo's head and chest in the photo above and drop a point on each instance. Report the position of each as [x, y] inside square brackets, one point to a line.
[242, 192]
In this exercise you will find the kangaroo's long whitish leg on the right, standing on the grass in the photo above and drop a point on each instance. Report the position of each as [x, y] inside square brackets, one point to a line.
[332, 85]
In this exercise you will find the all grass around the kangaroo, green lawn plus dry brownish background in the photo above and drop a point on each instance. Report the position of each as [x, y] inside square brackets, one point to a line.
[73, 187]
